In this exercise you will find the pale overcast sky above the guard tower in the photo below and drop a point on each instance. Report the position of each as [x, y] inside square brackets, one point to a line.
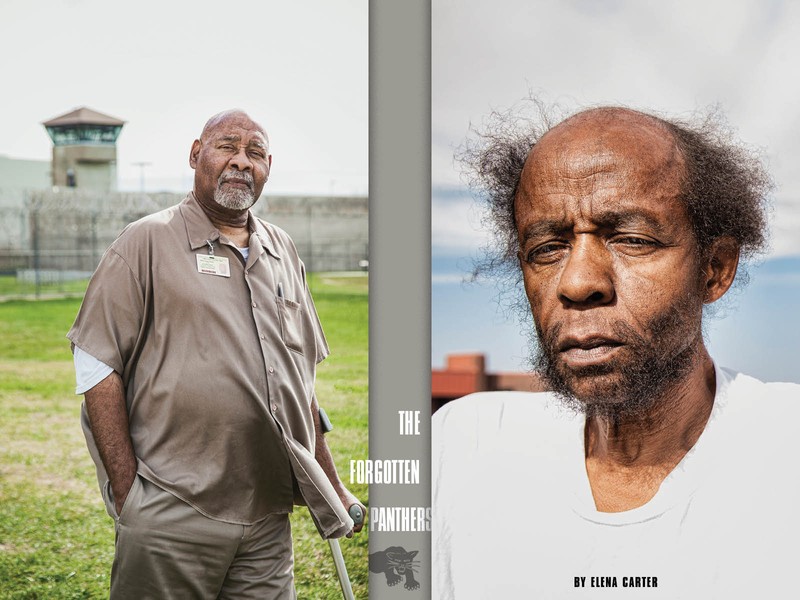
[300, 68]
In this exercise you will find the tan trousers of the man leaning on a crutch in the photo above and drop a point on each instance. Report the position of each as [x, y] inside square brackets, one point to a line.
[166, 549]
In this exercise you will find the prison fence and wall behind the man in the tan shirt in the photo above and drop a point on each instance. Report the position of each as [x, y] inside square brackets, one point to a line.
[51, 242]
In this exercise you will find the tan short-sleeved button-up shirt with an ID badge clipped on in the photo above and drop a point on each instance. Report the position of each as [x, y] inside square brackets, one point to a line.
[219, 371]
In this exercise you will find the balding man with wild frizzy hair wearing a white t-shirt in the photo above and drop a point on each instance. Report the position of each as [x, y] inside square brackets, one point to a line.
[646, 464]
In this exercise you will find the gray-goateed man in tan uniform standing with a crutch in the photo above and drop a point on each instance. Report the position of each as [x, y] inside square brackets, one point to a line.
[196, 348]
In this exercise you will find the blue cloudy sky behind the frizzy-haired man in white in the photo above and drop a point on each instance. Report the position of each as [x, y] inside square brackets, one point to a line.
[670, 57]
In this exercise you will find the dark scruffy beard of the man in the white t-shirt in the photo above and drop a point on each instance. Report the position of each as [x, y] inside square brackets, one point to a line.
[629, 387]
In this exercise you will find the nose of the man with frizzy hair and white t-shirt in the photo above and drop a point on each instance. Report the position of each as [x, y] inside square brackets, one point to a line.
[587, 279]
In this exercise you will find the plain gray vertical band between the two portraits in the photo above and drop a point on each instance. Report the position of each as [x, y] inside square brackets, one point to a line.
[400, 269]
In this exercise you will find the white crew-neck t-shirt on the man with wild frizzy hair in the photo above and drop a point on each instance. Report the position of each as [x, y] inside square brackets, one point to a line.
[513, 514]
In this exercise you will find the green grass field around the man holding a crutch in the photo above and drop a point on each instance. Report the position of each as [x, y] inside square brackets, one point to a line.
[56, 540]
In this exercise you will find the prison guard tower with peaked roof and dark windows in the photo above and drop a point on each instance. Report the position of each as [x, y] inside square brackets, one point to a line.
[84, 149]
